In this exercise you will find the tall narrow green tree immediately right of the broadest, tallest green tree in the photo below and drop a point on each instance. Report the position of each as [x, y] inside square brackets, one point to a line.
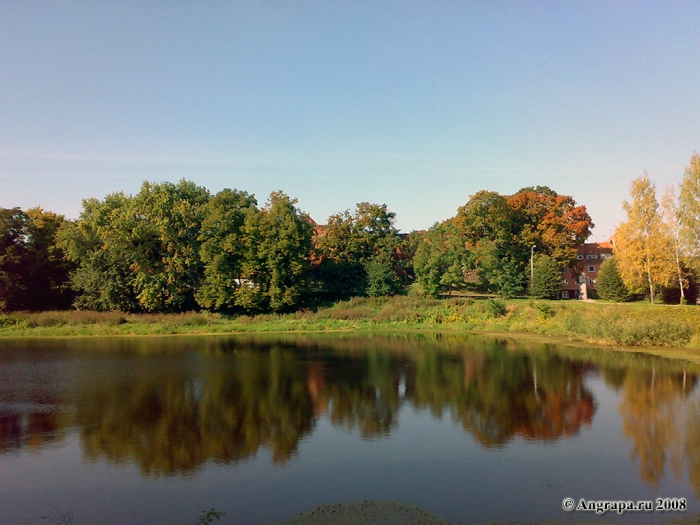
[224, 249]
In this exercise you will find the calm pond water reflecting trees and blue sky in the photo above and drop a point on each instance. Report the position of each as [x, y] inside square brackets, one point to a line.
[153, 431]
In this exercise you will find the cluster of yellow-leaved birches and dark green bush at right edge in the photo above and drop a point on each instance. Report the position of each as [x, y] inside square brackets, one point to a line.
[657, 249]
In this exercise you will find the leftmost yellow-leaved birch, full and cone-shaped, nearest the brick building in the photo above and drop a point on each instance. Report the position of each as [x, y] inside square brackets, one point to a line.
[642, 243]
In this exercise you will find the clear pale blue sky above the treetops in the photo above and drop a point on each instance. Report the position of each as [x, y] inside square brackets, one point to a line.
[416, 104]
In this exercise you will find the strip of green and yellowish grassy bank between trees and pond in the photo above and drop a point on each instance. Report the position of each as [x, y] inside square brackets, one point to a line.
[637, 324]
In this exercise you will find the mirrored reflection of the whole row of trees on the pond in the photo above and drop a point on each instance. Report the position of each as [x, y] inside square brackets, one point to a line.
[171, 405]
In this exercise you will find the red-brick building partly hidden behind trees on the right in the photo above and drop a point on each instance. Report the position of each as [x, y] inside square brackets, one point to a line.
[579, 282]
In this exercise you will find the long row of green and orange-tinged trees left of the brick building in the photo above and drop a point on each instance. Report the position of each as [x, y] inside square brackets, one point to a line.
[177, 247]
